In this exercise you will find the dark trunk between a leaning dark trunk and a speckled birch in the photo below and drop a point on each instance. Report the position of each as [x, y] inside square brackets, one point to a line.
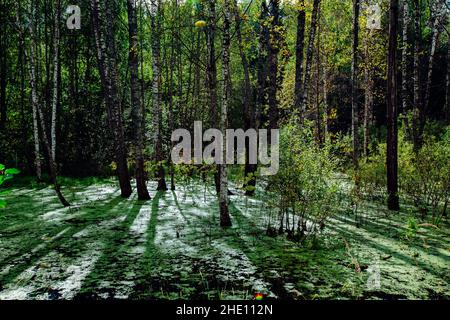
[136, 107]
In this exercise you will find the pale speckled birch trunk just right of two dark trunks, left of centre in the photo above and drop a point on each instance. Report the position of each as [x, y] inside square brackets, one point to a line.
[157, 104]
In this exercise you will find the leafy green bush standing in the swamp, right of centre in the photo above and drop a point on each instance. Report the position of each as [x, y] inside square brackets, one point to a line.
[304, 189]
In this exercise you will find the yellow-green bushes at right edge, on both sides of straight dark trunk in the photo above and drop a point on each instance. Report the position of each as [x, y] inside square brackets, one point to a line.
[424, 176]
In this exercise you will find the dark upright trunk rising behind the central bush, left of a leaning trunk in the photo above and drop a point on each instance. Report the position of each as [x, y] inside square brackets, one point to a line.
[299, 57]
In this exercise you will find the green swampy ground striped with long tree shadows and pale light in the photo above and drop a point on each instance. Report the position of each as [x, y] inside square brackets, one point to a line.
[171, 247]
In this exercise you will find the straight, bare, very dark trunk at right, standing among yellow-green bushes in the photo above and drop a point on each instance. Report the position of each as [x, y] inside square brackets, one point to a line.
[392, 139]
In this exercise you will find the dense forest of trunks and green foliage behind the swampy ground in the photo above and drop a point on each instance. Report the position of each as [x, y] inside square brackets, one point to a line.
[359, 89]
